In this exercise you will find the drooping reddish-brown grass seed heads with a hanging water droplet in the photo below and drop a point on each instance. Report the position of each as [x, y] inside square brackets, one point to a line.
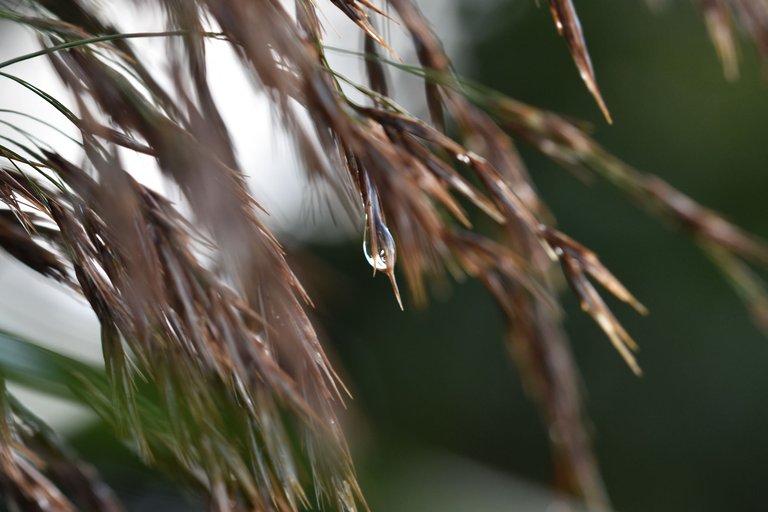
[213, 370]
